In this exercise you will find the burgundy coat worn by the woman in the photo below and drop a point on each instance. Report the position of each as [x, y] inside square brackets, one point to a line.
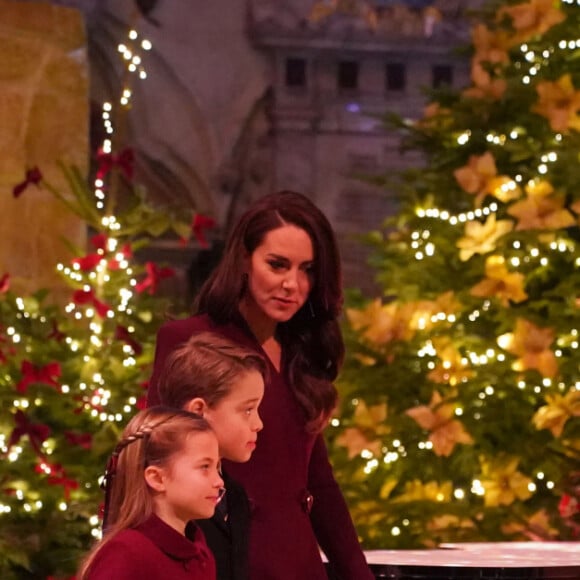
[287, 464]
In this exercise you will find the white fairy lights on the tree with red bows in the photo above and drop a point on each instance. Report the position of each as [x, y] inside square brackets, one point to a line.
[97, 394]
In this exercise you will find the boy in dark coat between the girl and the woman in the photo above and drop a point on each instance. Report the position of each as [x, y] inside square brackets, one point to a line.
[214, 377]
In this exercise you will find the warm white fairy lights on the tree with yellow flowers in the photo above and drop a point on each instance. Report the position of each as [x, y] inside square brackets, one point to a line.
[424, 248]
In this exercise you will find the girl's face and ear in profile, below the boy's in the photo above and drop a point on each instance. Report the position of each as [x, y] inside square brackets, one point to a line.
[188, 488]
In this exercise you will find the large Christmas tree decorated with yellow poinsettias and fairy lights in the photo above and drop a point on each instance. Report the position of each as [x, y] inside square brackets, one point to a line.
[460, 416]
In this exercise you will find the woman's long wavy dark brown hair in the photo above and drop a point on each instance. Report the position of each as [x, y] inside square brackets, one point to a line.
[312, 344]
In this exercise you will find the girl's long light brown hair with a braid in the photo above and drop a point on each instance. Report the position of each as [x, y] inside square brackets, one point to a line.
[152, 437]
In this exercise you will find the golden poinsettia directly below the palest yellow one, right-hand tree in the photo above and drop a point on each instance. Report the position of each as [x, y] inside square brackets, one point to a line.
[500, 283]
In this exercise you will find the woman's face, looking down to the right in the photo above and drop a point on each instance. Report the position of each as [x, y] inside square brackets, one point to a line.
[280, 273]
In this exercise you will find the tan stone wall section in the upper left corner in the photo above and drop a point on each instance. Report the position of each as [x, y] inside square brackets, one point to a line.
[43, 120]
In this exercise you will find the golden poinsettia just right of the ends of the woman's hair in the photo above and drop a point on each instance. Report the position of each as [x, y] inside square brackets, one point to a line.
[367, 432]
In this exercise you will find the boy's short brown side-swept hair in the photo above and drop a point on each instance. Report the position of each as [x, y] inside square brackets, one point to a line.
[206, 366]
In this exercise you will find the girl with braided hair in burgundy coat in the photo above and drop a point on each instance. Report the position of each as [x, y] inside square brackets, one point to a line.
[163, 473]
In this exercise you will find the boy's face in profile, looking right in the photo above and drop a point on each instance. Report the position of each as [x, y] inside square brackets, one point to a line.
[235, 419]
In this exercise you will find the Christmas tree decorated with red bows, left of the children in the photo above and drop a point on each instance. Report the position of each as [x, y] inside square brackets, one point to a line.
[72, 375]
